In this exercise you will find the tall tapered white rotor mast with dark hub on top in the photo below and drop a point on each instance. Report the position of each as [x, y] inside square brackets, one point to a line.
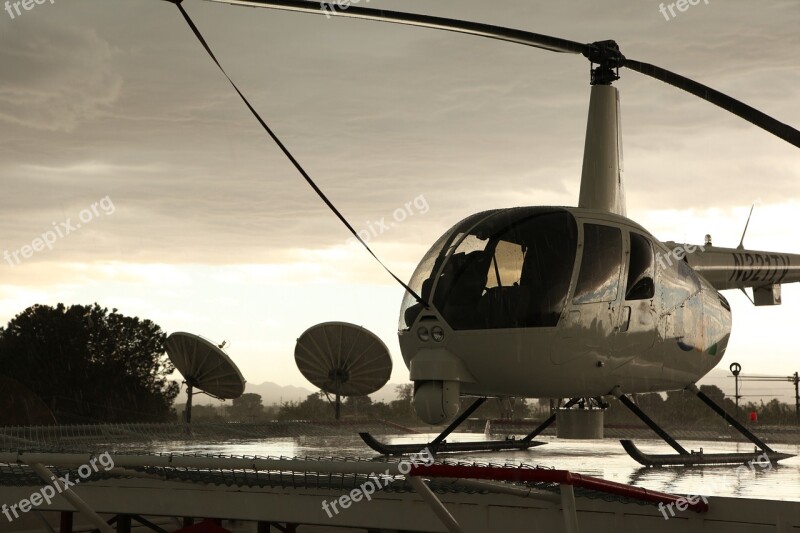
[602, 186]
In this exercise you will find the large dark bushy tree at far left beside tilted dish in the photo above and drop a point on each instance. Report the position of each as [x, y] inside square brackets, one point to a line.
[90, 365]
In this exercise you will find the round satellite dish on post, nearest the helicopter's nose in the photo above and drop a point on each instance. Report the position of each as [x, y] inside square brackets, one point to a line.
[343, 359]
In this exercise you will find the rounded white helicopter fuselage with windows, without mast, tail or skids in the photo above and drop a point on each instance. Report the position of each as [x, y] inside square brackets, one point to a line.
[559, 302]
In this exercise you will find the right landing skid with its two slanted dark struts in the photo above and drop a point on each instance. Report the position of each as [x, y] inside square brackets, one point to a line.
[686, 458]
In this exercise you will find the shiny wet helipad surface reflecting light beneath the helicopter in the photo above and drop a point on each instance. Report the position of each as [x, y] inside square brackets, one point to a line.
[605, 459]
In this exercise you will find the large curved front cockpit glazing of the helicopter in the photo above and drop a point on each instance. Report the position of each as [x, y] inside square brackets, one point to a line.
[505, 268]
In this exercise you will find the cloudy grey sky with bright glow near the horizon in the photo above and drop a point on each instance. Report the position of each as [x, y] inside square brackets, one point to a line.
[113, 117]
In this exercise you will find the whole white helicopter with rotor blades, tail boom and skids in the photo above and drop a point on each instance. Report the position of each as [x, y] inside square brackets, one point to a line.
[581, 302]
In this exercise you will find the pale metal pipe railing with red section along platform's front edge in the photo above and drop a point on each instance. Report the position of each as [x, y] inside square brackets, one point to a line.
[515, 480]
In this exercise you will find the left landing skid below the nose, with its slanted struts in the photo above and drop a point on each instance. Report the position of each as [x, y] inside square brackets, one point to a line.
[439, 445]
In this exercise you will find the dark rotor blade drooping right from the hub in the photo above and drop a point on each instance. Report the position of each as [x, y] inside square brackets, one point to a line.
[750, 114]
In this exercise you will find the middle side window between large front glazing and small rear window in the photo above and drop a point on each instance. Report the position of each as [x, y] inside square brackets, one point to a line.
[598, 280]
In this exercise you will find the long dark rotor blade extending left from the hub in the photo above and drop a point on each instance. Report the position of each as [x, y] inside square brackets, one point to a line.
[329, 9]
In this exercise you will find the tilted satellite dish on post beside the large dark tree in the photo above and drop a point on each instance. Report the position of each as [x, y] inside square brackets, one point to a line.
[204, 366]
